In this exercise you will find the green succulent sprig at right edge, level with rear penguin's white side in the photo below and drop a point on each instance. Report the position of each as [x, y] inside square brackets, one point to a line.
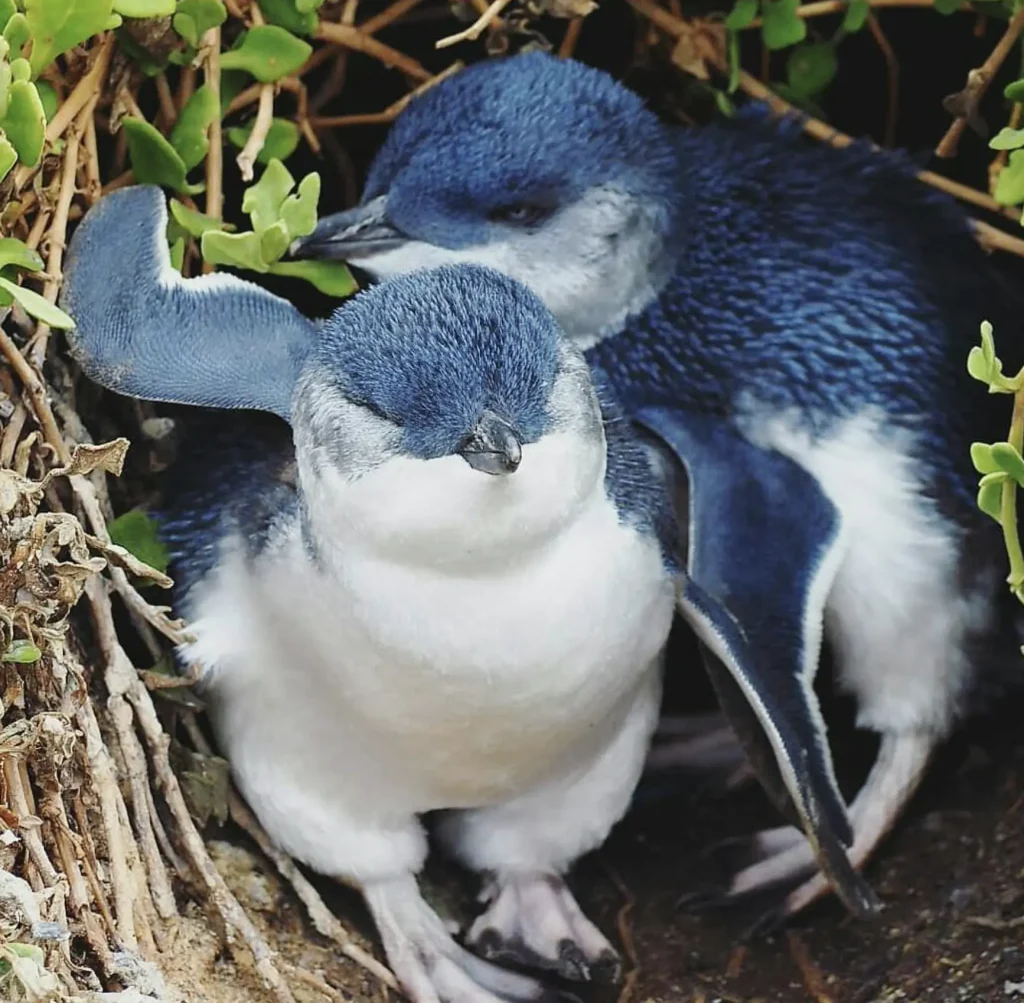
[1001, 465]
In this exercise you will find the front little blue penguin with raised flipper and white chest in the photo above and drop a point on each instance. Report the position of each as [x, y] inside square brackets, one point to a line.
[446, 589]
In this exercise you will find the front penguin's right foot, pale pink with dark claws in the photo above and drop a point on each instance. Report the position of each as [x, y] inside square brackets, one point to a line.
[533, 921]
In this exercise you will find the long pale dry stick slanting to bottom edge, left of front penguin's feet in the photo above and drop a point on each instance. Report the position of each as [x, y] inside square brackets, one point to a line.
[123, 681]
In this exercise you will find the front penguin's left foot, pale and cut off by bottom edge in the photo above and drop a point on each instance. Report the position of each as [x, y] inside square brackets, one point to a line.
[431, 967]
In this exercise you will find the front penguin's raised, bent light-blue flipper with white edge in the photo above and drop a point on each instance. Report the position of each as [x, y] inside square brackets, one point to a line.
[144, 331]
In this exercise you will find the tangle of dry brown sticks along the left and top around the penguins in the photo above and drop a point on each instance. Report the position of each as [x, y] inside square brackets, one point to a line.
[106, 778]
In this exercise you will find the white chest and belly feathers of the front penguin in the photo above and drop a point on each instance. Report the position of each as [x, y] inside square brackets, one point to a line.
[441, 685]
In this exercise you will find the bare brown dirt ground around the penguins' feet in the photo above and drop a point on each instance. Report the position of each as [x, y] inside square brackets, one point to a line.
[952, 877]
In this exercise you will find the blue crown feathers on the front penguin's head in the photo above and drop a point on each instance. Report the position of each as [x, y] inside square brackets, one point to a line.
[433, 354]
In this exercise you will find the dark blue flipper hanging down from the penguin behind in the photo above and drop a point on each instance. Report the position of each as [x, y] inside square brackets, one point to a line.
[764, 547]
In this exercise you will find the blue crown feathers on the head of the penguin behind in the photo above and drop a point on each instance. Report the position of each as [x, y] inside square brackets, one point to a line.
[531, 129]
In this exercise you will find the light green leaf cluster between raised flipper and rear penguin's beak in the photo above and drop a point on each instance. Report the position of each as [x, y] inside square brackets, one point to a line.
[278, 219]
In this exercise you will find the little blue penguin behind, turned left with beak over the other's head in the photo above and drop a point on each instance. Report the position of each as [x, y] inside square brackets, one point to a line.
[791, 324]
